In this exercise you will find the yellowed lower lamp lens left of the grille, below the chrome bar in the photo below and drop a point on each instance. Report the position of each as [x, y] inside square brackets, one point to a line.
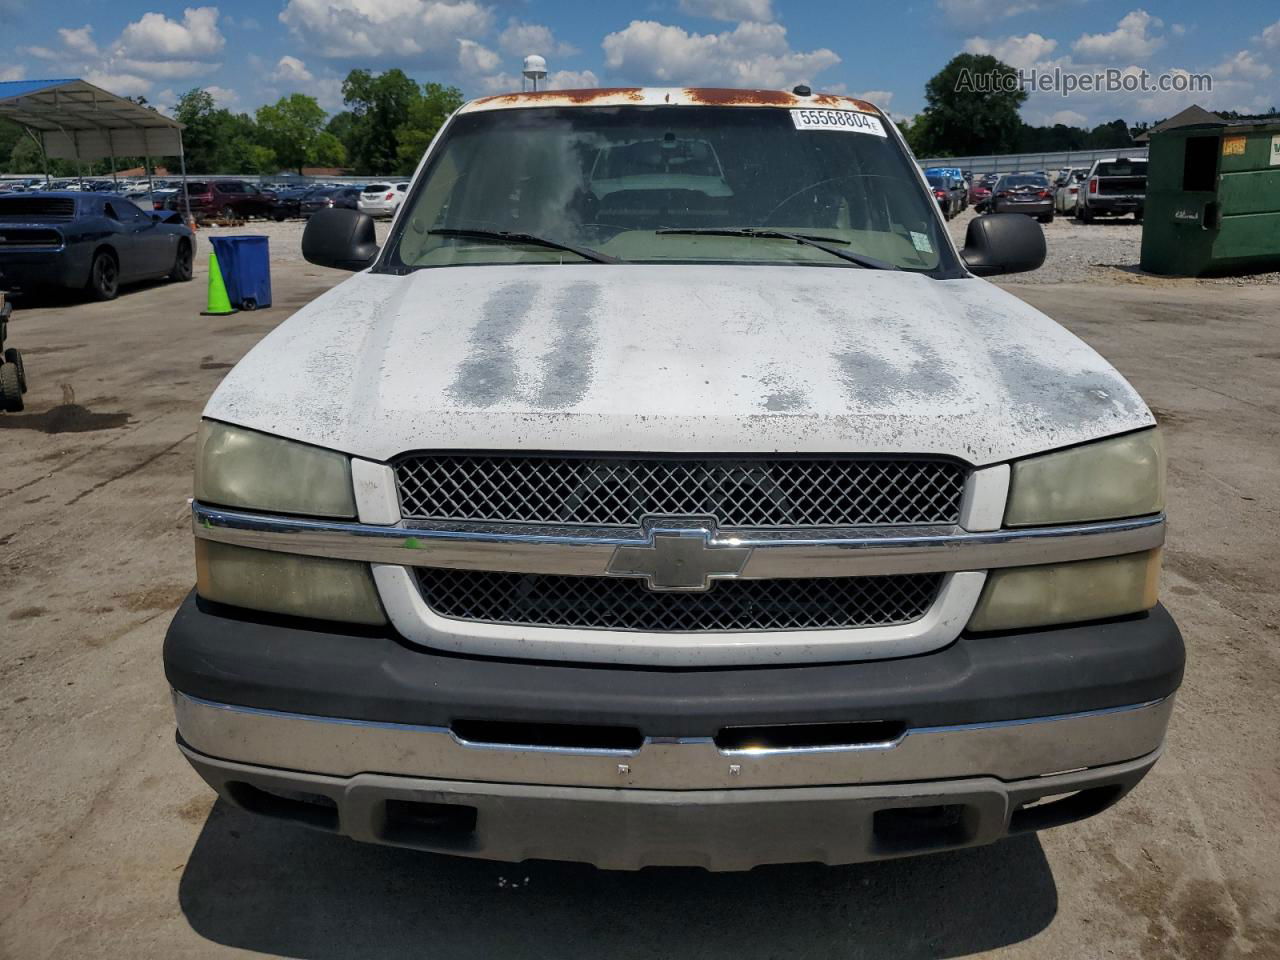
[287, 583]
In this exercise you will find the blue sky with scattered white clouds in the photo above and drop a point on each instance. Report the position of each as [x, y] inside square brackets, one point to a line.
[252, 52]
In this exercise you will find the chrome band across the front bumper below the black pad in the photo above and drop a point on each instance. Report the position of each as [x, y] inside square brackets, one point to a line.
[1008, 749]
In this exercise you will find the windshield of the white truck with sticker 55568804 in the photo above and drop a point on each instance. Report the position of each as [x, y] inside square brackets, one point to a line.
[618, 181]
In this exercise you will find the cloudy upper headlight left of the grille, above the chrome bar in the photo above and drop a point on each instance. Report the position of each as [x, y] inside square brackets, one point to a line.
[237, 468]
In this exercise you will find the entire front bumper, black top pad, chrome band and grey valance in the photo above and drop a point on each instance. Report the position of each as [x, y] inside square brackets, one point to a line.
[362, 733]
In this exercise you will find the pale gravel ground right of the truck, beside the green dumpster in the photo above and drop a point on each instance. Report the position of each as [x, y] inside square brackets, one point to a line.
[1105, 252]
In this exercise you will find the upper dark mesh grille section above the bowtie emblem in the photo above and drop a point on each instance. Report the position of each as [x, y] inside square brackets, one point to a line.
[794, 492]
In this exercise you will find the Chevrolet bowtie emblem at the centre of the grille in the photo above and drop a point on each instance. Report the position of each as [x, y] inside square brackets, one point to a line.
[680, 556]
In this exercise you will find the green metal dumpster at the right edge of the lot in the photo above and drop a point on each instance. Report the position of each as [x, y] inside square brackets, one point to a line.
[1214, 199]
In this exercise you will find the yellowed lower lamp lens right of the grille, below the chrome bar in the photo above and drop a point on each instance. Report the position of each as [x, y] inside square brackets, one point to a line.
[1066, 593]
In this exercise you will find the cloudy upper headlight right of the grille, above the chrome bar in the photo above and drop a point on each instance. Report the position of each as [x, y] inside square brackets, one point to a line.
[1119, 478]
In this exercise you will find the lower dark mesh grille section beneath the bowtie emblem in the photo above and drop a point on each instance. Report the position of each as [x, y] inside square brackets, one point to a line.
[623, 604]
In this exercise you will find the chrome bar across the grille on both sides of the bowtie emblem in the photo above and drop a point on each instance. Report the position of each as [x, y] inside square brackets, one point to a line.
[588, 552]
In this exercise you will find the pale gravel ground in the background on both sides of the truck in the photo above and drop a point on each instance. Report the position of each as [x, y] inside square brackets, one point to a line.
[1099, 253]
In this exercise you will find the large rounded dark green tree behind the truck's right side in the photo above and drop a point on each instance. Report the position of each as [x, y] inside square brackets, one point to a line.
[972, 108]
